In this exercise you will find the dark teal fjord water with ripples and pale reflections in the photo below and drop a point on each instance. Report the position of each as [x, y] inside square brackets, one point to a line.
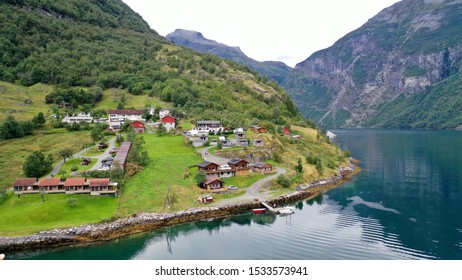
[405, 204]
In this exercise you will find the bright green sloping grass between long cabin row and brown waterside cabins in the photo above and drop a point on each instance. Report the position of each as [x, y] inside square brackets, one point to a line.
[170, 160]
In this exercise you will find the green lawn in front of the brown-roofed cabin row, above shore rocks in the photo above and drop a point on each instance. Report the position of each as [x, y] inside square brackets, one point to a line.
[26, 215]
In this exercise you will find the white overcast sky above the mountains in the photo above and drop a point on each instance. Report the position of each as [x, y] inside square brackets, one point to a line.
[281, 30]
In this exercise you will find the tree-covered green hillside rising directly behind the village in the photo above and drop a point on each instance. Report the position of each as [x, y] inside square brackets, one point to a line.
[80, 44]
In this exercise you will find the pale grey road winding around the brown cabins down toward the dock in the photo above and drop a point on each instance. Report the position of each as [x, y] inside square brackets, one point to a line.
[252, 192]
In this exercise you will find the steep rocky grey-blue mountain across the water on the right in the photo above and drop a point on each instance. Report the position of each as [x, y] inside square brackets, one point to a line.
[400, 69]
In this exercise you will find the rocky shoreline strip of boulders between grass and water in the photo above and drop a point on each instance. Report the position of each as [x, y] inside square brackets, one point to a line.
[149, 221]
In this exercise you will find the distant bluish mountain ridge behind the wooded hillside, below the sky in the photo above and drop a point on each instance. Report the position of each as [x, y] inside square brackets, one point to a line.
[195, 40]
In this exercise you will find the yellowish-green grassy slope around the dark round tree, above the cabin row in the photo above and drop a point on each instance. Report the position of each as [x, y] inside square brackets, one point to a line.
[15, 151]
